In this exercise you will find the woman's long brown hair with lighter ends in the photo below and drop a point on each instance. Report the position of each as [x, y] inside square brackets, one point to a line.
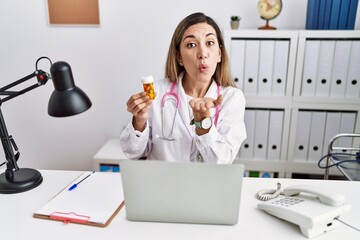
[222, 73]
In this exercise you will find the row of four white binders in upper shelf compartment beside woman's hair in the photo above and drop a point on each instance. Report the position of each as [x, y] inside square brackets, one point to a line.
[260, 67]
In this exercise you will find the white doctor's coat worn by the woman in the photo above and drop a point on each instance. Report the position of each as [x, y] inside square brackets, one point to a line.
[220, 145]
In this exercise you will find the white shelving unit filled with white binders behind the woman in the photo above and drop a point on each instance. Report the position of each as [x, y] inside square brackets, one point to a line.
[304, 92]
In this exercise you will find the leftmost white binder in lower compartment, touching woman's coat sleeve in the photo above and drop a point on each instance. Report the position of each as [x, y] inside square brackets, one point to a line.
[246, 150]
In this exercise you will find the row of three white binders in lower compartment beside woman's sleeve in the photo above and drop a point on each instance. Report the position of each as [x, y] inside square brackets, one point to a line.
[264, 134]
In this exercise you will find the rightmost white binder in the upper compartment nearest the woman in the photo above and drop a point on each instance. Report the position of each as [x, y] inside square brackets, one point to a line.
[281, 57]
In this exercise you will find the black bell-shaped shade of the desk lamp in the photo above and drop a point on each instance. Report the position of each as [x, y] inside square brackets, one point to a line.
[67, 99]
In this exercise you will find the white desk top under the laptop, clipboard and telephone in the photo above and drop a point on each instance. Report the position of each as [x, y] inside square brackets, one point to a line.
[16, 216]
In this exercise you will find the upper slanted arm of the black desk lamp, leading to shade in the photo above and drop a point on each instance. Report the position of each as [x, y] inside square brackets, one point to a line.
[42, 78]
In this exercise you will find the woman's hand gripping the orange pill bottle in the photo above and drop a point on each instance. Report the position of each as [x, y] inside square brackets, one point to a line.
[138, 105]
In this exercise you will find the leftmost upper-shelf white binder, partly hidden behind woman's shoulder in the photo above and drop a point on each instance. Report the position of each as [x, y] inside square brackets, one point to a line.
[237, 62]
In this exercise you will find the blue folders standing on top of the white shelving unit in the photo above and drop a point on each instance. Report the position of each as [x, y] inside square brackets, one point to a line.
[331, 14]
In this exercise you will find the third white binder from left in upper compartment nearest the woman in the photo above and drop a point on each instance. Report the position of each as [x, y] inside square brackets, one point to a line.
[266, 61]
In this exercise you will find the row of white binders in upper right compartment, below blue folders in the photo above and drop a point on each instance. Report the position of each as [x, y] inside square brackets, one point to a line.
[331, 68]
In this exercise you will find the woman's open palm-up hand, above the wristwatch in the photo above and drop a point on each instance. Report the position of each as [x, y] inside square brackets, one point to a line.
[201, 106]
